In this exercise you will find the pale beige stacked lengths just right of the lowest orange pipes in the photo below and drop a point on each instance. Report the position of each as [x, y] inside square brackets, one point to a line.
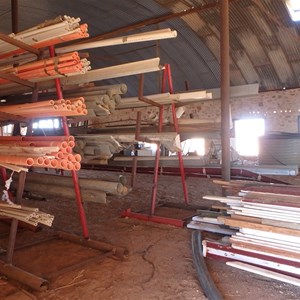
[98, 148]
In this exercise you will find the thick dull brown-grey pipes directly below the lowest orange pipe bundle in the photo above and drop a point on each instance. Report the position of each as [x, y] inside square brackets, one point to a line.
[92, 190]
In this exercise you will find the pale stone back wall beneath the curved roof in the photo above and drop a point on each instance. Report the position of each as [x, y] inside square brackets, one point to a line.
[280, 109]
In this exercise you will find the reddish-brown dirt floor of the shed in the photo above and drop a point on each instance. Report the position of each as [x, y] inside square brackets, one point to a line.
[159, 265]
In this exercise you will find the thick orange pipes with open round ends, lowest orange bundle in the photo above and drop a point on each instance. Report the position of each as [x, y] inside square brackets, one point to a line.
[40, 151]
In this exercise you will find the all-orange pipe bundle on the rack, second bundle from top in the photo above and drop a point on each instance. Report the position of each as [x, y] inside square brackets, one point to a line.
[50, 68]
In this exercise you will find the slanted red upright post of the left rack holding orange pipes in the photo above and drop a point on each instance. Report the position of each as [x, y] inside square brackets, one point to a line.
[74, 174]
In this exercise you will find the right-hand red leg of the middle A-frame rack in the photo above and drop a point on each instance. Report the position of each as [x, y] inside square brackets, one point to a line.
[167, 77]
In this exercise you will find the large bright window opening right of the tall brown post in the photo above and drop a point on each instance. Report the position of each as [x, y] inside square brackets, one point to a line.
[246, 136]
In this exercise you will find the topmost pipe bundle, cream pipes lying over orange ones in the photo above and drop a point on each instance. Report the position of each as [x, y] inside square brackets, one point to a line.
[52, 32]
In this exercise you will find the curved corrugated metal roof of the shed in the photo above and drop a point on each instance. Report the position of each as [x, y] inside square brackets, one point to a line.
[264, 42]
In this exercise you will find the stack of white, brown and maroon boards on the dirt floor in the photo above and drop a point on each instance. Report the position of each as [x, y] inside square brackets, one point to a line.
[267, 220]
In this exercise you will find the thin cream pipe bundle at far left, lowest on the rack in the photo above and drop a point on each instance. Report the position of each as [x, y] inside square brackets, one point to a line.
[26, 214]
